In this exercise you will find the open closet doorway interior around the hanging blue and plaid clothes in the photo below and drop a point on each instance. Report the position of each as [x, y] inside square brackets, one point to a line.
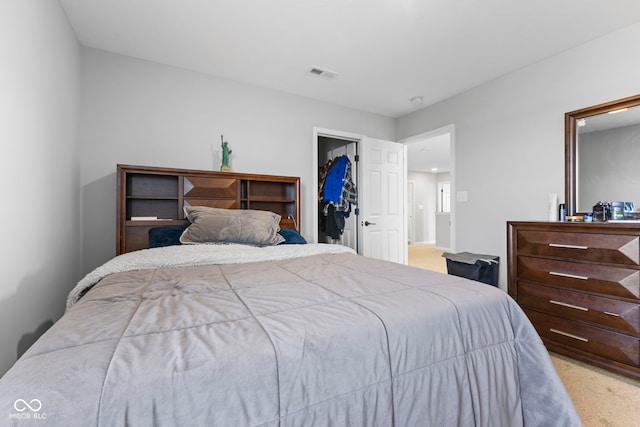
[331, 147]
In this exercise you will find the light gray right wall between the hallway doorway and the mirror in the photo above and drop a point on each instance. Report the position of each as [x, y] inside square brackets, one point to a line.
[509, 140]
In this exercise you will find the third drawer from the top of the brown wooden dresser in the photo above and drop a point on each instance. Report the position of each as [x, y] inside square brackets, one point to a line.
[611, 313]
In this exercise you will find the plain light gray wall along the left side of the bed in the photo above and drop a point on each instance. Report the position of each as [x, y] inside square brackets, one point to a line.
[39, 84]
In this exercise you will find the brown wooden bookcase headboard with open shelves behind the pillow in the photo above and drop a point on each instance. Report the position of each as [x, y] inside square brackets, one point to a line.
[151, 197]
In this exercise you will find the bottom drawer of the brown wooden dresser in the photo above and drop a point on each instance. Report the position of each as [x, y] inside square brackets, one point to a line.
[590, 339]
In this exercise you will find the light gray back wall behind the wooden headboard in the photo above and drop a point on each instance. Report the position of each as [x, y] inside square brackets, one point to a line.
[142, 113]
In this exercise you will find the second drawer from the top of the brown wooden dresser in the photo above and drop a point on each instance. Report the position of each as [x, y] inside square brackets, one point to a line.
[607, 280]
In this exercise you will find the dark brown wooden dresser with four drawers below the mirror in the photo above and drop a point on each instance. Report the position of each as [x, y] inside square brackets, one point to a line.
[579, 284]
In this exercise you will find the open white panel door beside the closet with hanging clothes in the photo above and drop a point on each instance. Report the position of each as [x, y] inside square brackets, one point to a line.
[381, 198]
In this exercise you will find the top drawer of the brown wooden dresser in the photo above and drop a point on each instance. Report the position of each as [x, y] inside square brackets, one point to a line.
[609, 248]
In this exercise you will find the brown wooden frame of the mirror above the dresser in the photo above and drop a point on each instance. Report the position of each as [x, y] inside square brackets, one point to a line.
[570, 143]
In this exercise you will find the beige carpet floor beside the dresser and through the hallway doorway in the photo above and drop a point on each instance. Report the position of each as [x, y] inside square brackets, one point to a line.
[601, 398]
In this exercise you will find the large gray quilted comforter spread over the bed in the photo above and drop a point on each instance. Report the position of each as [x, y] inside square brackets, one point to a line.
[331, 339]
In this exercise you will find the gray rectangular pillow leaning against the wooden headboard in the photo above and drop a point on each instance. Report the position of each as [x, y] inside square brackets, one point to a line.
[214, 225]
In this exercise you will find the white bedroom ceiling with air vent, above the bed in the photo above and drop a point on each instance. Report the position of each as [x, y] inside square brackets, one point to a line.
[385, 51]
